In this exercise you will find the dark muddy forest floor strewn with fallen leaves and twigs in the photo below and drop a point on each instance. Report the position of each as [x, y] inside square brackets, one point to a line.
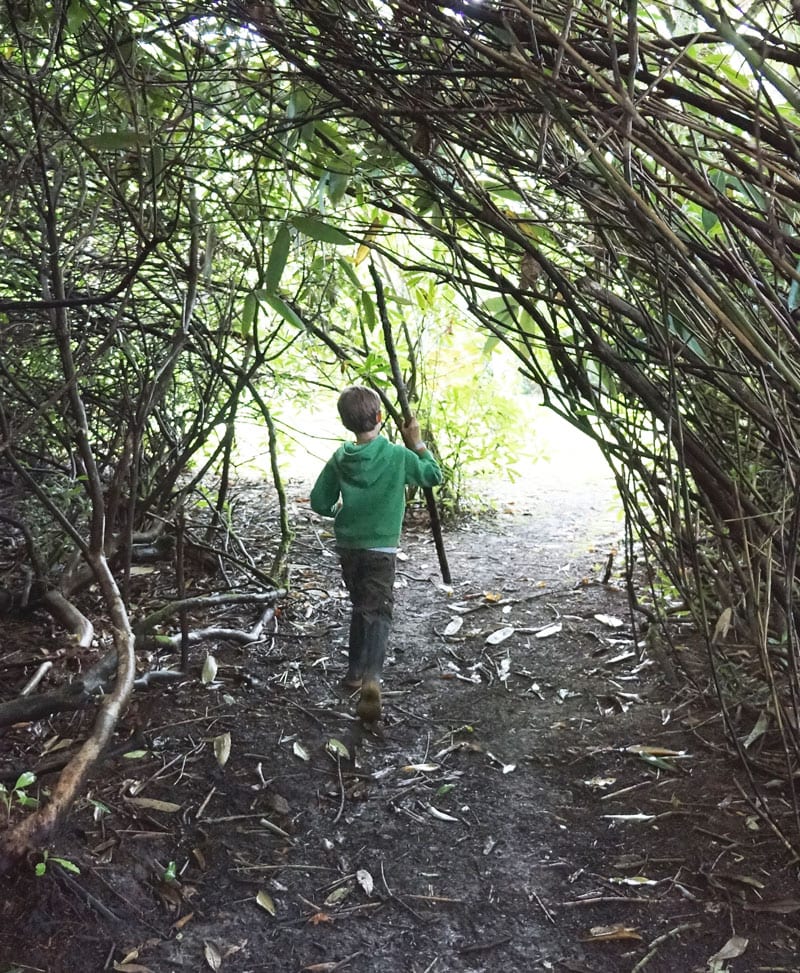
[539, 796]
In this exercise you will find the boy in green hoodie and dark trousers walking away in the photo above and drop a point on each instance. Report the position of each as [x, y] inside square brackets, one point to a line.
[363, 487]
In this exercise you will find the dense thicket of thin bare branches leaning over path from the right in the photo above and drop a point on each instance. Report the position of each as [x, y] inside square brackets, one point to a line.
[617, 201]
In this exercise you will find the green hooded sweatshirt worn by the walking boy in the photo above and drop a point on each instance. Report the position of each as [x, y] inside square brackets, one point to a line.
[370, 478]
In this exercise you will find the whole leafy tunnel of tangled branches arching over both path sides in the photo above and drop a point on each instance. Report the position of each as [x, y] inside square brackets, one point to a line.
[207, 210]
